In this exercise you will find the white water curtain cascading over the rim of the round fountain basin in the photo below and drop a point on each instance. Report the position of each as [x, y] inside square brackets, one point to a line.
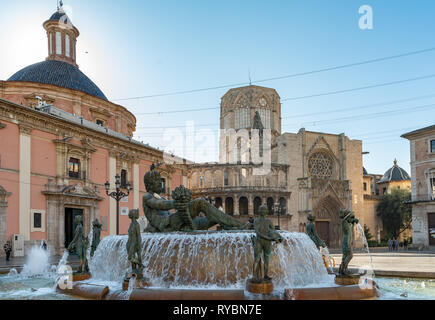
[211, 260]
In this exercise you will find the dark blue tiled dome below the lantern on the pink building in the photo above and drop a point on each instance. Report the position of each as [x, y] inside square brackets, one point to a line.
[58, 73]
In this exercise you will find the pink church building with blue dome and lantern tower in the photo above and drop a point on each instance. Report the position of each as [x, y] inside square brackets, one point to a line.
[60, 141]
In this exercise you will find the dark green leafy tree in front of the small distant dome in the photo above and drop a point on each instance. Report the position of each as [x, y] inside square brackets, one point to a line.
[395, 211]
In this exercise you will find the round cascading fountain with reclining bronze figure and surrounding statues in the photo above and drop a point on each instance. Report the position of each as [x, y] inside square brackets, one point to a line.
[178, 257]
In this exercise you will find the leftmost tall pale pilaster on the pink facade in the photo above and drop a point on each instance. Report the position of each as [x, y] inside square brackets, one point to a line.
[24, 177]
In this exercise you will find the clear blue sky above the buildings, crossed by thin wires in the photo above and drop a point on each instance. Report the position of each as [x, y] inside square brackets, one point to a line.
[138, 48]
